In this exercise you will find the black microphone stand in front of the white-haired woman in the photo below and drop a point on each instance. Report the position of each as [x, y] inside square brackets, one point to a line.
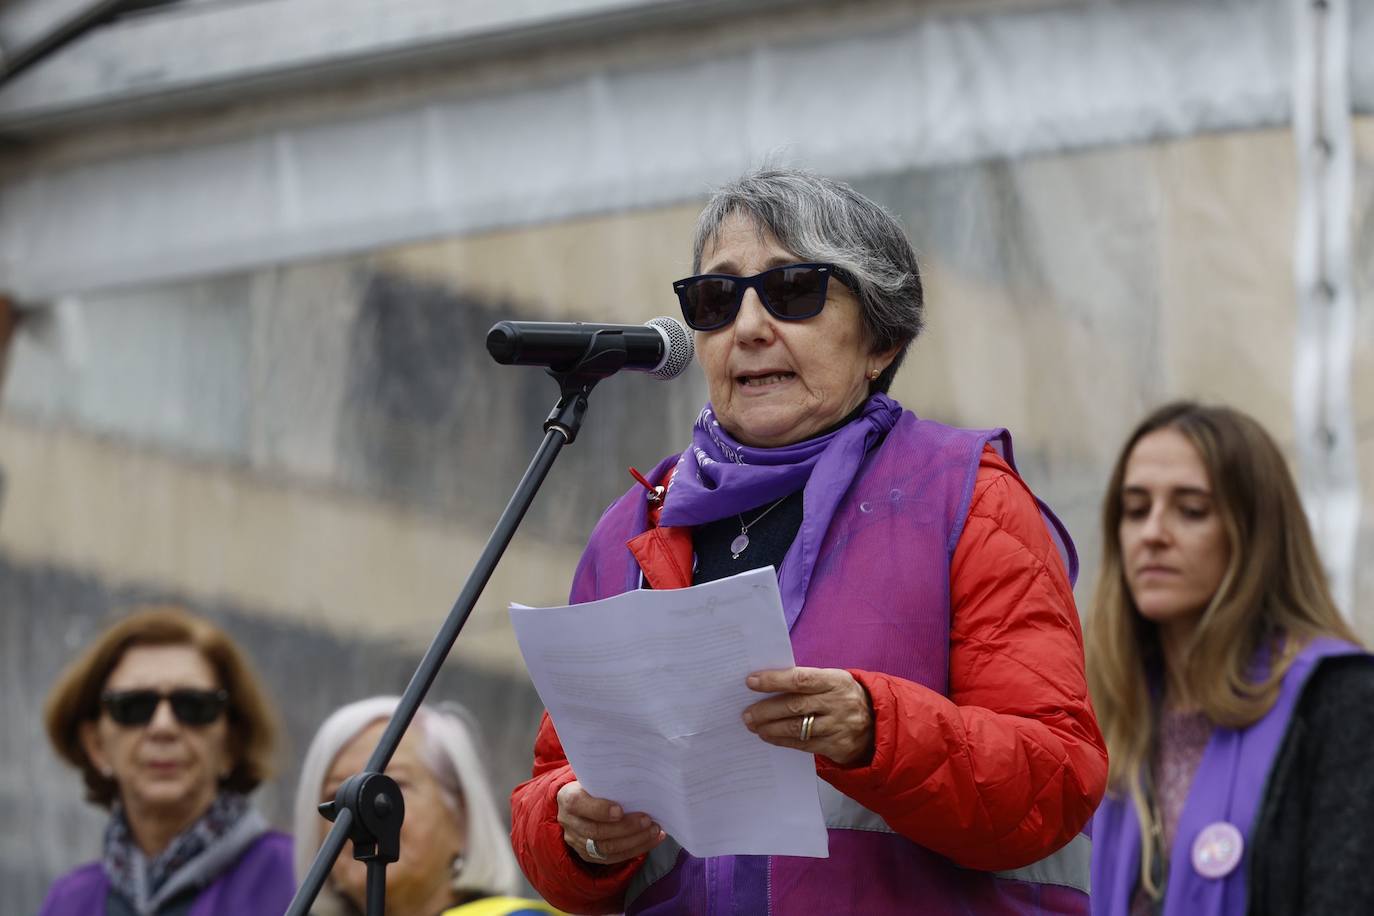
[369, 807]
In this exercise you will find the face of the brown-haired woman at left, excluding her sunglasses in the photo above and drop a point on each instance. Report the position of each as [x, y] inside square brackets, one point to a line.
[164, 770]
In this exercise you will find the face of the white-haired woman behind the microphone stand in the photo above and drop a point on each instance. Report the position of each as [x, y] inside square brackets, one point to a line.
[432, 834]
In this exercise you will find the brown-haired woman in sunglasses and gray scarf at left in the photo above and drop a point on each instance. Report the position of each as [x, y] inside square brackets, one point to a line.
[171, 731]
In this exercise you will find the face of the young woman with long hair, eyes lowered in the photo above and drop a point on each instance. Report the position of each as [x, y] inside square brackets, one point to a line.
[1174, 545]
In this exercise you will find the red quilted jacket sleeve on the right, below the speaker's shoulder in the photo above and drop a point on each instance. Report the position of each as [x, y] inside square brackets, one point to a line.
[1012, 764]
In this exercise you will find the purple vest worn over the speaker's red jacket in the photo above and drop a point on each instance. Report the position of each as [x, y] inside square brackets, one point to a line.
[879, 599]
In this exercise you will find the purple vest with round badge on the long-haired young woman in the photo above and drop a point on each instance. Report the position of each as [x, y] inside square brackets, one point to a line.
[1228, 790]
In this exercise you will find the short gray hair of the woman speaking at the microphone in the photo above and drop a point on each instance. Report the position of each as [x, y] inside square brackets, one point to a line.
[824, 220]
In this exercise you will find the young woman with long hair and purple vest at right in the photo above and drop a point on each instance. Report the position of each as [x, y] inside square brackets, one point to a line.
[1237, 704]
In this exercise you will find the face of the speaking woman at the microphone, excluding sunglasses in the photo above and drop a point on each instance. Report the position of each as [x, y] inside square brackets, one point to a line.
[778, 382]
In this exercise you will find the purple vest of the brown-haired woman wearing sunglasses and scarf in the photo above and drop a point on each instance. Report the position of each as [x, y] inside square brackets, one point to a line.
[260, 882]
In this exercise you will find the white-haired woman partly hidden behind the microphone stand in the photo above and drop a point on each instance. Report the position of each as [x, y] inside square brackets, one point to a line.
[455, 854]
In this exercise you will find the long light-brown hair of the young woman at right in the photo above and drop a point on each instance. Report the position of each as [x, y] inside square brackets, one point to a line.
[1274, 595]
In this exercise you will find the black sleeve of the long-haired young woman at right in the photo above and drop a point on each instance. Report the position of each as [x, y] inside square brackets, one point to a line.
[1314, 836]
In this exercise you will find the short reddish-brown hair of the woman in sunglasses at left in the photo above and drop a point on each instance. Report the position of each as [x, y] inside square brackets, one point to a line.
[76, 697]
